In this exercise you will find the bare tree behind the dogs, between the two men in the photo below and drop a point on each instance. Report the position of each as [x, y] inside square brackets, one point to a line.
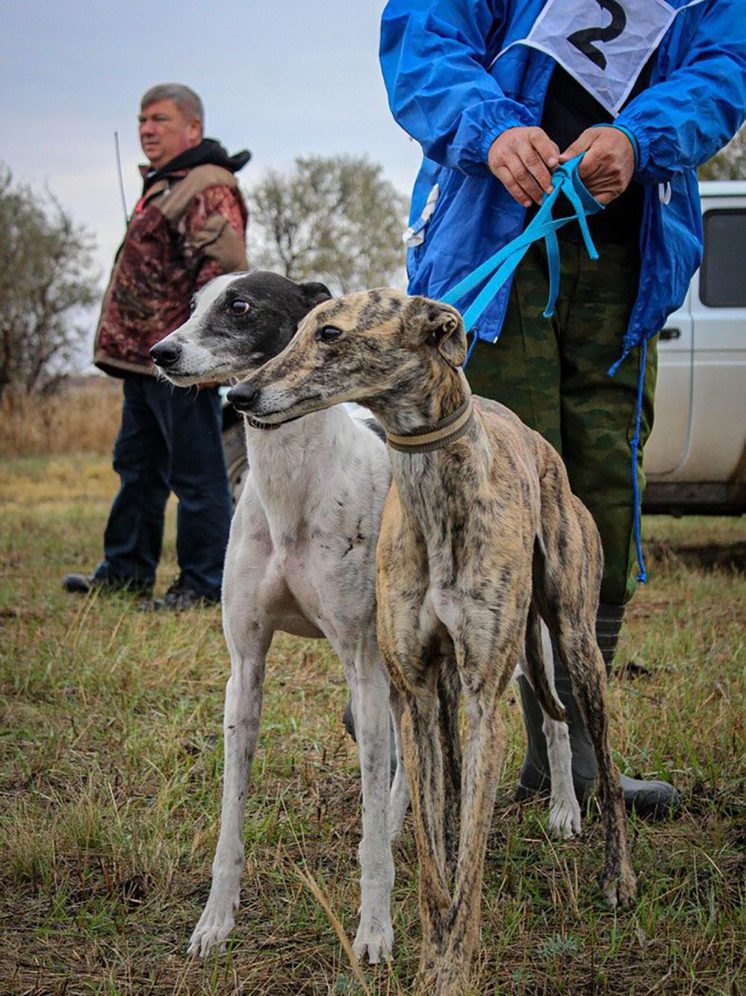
[333, 219]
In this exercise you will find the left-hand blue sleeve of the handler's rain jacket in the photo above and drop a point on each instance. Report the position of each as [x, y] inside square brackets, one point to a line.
[434, 60]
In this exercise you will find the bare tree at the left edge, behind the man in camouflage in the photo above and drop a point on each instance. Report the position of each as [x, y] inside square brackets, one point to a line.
[45, 278]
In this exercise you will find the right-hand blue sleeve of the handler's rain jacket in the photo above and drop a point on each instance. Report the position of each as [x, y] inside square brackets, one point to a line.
[683, 121]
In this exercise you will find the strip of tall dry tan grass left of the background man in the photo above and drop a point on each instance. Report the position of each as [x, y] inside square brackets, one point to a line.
[83, 417]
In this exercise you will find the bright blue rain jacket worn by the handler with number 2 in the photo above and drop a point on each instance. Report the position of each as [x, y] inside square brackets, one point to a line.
[435, 56]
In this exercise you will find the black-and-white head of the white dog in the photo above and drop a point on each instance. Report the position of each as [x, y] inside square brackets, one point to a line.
[238, 322]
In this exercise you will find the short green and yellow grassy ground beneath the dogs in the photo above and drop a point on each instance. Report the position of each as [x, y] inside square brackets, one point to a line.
[110, 761]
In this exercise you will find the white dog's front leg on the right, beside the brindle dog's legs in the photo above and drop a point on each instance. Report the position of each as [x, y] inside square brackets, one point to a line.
[375, 935]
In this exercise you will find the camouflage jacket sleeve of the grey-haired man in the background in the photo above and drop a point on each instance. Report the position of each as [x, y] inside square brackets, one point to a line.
[214, 234]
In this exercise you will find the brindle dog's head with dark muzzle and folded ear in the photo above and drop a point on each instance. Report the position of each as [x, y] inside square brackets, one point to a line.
[377, 347]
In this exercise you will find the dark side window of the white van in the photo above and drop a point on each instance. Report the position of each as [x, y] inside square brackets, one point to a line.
[723, 276]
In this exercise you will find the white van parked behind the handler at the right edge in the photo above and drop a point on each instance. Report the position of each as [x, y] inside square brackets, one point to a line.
[695, 460]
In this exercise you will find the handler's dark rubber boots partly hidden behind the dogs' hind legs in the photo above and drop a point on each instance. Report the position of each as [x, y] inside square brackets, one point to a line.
[654, 799]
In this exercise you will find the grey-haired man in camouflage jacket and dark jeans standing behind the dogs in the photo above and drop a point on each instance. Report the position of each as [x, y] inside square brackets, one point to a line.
[188, 226]
